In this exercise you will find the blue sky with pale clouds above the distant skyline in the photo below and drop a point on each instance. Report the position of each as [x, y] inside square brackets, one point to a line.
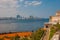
[26, 8]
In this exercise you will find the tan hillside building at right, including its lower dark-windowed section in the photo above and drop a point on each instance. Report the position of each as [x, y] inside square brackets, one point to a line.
[53, 20]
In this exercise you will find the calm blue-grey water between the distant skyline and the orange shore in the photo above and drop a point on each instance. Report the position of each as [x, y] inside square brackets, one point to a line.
[11, 26]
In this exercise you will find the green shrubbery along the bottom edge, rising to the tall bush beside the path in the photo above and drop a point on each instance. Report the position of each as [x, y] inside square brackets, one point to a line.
[37, 35]
